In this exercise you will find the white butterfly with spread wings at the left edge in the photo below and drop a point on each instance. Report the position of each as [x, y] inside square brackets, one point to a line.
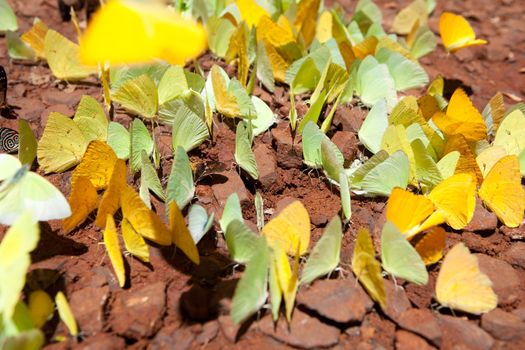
[22, 190]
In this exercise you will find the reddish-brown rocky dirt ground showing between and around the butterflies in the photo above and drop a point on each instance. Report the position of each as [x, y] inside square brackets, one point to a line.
[172, 304]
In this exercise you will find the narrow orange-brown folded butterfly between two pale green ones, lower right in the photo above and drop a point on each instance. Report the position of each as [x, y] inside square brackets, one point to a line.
[367, 269]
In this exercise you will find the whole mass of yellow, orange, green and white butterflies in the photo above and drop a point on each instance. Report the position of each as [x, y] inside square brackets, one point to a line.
[445, 151]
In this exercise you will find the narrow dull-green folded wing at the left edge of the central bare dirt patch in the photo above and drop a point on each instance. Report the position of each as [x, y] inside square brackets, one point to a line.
[180, 183]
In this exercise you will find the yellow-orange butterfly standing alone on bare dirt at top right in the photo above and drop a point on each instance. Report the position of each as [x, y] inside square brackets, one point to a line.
[456, 32]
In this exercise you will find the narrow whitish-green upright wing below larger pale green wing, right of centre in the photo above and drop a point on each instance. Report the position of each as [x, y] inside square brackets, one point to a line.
[374, 126]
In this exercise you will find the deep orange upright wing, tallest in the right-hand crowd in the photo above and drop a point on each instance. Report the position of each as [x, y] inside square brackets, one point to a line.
[461, 118]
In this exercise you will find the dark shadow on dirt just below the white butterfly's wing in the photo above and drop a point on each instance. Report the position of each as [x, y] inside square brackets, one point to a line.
[52, 244]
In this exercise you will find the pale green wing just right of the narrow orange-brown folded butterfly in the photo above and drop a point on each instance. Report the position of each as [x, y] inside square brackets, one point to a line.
[399, 257]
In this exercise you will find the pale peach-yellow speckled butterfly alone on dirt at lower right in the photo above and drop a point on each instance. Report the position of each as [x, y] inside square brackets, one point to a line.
[462, 286]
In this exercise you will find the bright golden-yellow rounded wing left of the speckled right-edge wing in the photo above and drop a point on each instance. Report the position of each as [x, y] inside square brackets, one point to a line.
[455, 200]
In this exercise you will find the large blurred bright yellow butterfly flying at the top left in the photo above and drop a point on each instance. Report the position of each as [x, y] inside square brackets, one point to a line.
[124, 32]
